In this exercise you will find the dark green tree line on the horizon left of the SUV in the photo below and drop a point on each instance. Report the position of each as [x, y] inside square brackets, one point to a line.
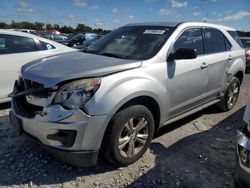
[41, 26]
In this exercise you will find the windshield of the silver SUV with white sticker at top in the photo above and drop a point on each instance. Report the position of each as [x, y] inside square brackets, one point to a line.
[132, 42]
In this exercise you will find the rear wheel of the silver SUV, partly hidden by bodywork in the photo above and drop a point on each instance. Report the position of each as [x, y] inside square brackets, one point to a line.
[225, 104]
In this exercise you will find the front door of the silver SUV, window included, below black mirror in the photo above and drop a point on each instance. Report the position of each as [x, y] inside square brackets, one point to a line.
[187, 78]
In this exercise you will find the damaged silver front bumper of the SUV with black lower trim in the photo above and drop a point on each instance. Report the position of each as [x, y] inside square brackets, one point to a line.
[70, 135]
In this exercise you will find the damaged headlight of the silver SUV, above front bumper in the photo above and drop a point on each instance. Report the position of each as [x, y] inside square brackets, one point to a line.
[77, 93]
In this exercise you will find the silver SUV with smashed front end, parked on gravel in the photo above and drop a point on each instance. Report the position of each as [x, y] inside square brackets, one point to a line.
[116, 94]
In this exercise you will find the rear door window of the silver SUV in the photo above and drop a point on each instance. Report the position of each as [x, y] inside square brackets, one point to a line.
[214, 41]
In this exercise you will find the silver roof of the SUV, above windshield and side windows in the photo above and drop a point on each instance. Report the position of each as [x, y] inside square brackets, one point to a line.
[176, 24]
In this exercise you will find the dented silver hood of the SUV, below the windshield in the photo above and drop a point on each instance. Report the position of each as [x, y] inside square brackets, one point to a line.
[73, 65]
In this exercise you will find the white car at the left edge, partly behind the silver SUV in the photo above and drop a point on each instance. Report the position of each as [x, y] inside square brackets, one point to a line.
[17, 49]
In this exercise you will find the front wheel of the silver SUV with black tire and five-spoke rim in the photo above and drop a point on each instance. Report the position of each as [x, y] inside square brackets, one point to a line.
[118, 126]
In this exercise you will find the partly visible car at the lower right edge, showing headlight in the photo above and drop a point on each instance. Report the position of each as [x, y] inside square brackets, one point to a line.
[243, 151]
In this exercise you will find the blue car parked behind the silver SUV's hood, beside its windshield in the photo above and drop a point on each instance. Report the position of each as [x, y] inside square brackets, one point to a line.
[82, 40]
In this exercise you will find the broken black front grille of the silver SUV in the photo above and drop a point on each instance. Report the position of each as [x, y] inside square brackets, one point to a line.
[22, 88]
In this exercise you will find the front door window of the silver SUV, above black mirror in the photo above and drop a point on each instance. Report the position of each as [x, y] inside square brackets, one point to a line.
[191, 38]
